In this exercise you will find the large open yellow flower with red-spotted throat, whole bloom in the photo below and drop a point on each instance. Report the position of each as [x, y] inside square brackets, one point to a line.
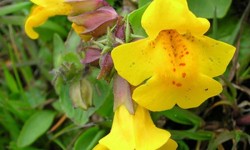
[176, 63]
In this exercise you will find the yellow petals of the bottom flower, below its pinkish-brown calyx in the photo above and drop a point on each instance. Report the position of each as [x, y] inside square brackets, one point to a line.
[135, 132]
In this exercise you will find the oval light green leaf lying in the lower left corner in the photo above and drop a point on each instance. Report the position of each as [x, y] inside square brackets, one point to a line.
[34, 127]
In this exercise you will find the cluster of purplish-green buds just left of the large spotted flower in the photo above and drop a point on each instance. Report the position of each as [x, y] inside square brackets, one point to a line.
[97, 51]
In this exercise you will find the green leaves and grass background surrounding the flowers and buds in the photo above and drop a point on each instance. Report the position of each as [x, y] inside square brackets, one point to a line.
[35, 107]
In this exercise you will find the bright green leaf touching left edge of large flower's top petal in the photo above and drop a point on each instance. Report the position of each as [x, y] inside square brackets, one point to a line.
[135, 20]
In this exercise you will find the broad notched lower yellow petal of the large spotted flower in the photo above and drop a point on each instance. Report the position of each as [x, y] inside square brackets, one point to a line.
[161, 93]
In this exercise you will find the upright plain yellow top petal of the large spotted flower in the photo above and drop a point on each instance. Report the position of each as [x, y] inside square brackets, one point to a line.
[172, 14]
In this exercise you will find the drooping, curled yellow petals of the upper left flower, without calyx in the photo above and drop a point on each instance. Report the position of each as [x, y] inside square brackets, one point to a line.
[42, 11]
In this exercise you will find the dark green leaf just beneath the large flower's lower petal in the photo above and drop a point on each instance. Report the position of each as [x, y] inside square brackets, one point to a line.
[183, 116]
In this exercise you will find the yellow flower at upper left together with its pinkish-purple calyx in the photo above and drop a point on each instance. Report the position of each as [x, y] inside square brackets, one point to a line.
[97, 10]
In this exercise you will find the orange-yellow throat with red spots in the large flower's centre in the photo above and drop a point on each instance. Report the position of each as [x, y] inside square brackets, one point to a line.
[179, 61]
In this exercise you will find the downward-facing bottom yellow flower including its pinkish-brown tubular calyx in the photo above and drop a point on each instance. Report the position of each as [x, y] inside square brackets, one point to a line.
[132, 127]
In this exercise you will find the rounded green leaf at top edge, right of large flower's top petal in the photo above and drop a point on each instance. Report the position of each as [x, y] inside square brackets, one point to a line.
[207, 8]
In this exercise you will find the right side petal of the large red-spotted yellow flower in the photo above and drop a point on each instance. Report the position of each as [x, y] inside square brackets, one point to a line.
[213, 56]
